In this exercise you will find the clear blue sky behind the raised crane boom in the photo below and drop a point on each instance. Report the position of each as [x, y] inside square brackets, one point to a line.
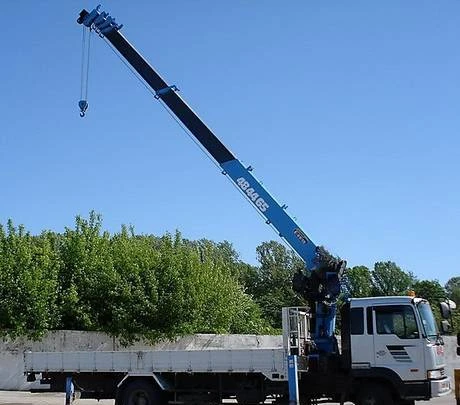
[348, 112]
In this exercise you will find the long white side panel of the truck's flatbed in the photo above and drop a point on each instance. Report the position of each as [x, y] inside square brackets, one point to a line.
[272, 363]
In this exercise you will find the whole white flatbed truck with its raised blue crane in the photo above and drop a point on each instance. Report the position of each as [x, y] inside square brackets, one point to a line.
[390, 350]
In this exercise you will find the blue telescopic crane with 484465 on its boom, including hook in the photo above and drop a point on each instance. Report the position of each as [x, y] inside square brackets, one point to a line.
[320, 283]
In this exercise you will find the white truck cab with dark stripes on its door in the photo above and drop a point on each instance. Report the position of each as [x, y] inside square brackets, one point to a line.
[395, 339]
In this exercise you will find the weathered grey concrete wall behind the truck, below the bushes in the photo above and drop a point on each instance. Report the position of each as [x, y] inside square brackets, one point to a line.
[11, 351]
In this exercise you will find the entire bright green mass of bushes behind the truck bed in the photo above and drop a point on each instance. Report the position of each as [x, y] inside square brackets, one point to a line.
[125, 284]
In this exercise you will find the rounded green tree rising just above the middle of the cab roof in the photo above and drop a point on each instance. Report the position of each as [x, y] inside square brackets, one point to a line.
[390, 279]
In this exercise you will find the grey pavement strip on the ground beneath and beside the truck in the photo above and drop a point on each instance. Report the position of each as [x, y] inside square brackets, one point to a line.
[26, 398]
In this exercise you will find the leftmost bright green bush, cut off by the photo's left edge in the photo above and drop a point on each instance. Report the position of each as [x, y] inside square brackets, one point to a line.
[28, 282]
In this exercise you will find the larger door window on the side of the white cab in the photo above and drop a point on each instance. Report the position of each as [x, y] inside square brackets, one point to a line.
[398, 320]
